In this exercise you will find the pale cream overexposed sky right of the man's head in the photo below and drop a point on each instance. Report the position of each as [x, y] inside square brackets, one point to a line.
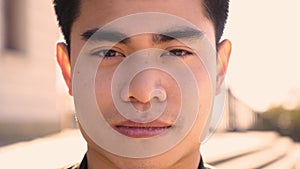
[265, 62]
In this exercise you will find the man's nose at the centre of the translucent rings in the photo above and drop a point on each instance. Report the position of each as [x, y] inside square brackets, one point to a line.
[145, 87]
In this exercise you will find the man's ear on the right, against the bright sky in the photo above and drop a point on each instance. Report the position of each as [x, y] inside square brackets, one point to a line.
[224, 51]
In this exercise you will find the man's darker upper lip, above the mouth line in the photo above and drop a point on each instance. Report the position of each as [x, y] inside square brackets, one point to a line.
[154, 124]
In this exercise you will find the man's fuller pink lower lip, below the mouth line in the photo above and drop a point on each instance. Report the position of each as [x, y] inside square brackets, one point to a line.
[141, 132]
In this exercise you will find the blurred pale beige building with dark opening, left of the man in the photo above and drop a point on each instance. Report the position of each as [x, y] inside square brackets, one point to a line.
[30, 102]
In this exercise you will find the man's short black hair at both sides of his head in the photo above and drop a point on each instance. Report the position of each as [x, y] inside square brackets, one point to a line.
[67, 12]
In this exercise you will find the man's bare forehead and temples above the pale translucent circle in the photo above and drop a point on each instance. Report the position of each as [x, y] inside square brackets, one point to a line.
[97, 13]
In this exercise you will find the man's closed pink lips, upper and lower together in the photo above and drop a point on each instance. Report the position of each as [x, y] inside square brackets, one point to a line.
[142, 130]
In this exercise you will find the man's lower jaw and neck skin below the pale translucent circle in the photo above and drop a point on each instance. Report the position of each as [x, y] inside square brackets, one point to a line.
[186, 151]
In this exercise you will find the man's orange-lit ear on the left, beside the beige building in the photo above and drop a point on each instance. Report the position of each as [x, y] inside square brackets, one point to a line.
[63, 60]
